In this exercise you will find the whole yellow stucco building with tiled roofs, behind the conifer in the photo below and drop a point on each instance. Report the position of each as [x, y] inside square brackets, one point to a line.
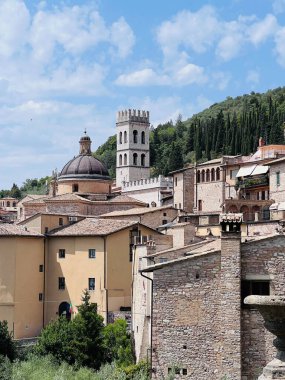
[42, 276]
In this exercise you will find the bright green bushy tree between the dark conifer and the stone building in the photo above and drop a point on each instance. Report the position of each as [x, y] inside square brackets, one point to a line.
[118, 343]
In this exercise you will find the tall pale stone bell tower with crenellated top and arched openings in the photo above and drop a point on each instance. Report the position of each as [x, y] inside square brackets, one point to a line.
[132, 146]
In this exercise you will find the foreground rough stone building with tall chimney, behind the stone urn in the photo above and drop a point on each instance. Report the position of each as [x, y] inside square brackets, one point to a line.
[199, 323]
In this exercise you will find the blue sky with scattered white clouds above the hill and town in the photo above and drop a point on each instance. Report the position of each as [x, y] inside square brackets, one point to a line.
[70, 65]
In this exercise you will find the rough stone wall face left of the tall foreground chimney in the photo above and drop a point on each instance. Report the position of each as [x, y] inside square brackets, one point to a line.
[185, 334]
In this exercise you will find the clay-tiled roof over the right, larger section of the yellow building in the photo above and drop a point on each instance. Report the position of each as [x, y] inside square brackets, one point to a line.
[93, 227]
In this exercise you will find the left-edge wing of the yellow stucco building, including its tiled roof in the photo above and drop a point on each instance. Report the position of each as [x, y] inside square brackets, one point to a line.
[21, 280]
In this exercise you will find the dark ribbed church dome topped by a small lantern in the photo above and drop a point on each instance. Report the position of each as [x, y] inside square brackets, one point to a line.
[84, 166]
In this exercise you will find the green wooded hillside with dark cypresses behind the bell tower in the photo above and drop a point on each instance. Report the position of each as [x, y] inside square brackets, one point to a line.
[232, 126]
